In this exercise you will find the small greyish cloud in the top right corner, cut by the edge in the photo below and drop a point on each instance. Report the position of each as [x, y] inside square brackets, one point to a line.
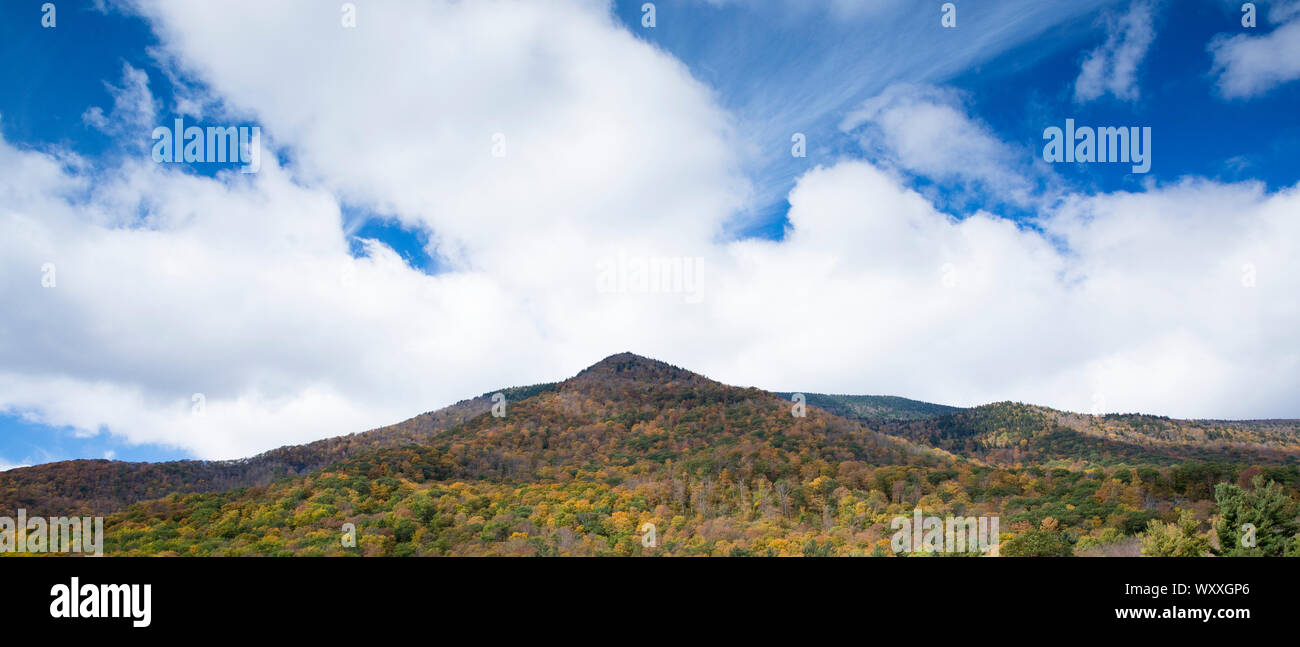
[1250, 66]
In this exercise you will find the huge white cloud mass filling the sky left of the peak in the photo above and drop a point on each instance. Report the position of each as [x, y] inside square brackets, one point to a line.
[241, 288]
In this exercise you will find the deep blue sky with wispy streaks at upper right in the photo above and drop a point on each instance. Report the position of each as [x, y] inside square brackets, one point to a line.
[768, 62]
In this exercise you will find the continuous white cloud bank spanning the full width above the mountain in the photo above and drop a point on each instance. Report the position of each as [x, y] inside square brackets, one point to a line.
[227, 315]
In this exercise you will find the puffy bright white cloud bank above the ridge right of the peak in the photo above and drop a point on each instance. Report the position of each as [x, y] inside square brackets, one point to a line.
[1142, 302]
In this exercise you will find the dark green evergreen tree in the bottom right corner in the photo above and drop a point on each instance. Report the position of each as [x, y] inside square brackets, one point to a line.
[1267, 507]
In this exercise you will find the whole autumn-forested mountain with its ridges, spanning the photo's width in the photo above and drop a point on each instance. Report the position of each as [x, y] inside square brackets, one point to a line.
[588, 466]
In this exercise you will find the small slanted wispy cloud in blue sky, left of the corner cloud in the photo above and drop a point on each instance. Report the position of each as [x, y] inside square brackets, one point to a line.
[1113, 67]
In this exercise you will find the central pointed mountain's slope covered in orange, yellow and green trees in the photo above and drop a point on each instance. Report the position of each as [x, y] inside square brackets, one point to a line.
[567, 471]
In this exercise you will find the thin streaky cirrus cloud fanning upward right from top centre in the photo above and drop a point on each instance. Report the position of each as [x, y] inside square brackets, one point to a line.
[816, 71]
